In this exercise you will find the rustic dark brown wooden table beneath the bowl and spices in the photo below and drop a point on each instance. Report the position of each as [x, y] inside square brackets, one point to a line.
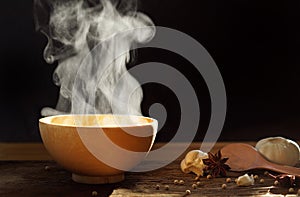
[23, 173]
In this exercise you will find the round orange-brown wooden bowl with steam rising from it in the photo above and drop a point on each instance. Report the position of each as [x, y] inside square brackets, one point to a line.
[98, 149]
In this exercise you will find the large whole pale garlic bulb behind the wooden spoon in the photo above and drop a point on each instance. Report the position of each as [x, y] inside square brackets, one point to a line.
[279, 150]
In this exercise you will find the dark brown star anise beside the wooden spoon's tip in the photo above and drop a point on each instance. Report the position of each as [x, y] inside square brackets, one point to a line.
[215, 164]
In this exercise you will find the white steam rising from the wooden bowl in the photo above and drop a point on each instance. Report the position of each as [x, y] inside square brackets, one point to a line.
[91, 41]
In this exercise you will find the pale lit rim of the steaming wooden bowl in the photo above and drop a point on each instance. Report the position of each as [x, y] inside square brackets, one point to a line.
[47, 120]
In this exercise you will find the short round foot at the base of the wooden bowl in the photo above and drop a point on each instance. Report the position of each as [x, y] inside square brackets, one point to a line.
[97, 179]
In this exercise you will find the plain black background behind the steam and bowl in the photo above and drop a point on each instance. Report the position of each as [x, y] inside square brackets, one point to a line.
[254, 43]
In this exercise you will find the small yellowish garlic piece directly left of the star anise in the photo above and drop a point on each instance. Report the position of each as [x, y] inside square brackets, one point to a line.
[193, 162]
